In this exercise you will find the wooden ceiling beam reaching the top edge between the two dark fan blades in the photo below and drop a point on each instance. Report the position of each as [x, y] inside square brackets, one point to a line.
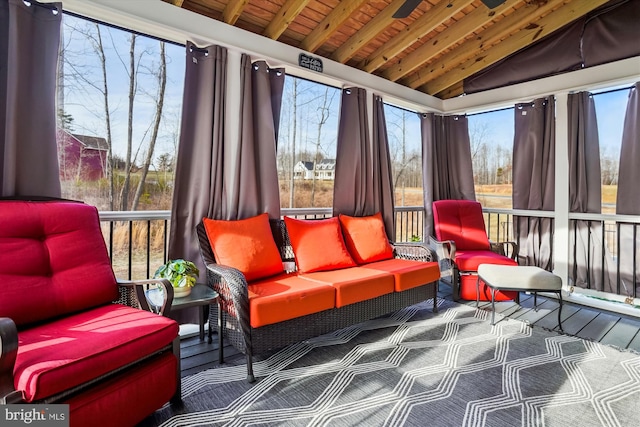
[413, 32]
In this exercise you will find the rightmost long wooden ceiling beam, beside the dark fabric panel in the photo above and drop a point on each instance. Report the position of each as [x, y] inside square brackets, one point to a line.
[543, 27]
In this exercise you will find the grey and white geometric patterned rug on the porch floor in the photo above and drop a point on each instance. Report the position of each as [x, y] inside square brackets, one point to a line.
[417, 368]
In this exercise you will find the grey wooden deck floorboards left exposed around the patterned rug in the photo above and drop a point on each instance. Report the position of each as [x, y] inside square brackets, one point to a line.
[606, 327]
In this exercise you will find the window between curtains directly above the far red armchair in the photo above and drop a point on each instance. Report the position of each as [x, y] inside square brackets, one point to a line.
[491, 136]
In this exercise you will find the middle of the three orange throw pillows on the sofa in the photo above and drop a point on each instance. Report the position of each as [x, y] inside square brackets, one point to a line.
[318, 244]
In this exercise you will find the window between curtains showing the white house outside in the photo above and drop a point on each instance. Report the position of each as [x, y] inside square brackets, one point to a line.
[307, 143]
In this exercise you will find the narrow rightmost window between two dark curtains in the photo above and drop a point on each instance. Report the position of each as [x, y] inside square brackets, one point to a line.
[610, 111]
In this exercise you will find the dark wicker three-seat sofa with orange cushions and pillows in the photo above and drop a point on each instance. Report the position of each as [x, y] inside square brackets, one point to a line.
[339, 272]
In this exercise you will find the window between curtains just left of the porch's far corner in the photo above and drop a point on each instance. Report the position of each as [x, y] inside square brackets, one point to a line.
[405, 153]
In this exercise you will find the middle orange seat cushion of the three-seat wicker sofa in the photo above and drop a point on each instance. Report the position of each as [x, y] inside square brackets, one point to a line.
[354, 284]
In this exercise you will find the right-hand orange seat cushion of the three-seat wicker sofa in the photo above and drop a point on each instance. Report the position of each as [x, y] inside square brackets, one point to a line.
[408, 274]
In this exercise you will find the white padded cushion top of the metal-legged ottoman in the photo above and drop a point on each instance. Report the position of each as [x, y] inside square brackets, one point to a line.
[519, 277]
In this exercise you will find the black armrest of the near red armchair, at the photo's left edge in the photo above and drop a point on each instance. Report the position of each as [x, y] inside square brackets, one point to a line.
[8, 353]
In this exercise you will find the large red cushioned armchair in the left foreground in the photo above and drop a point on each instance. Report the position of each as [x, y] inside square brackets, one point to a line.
[70, 333]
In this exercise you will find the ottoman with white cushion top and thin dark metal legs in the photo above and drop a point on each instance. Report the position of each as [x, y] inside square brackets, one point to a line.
[521, 279]
